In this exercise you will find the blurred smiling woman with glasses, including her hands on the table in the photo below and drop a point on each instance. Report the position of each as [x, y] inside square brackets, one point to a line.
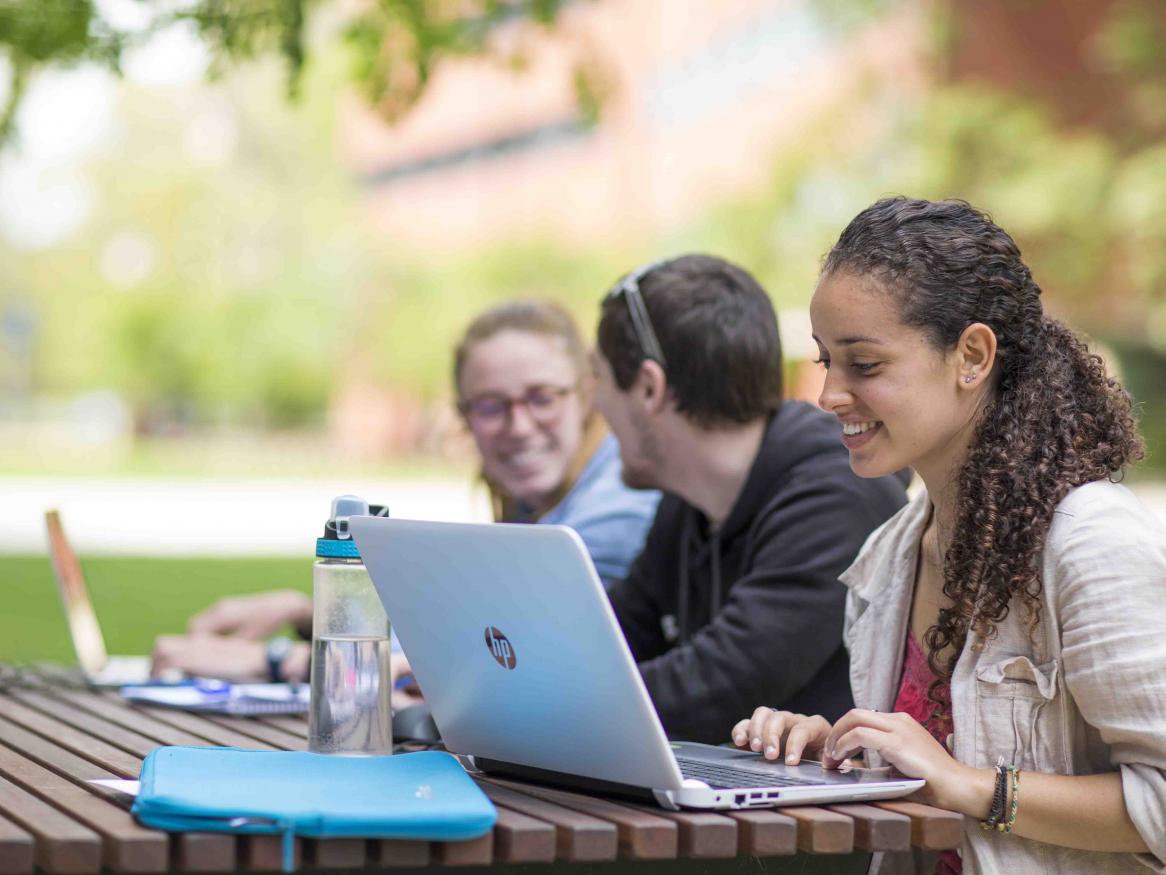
[525, 391]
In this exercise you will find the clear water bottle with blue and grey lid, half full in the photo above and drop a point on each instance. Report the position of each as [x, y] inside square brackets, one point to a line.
[350, 646]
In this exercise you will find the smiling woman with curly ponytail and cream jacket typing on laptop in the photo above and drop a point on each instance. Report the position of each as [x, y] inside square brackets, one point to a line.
[1006, 628]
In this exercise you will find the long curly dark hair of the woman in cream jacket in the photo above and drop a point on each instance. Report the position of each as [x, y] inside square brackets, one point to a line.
[1056, 419]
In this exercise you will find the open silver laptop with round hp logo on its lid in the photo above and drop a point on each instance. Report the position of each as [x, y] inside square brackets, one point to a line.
[525, 669]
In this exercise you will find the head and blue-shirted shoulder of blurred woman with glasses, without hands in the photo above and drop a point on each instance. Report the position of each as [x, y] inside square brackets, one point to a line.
[525, 391]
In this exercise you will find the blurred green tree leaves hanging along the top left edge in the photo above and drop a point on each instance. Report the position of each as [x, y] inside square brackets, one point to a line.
[397, 45]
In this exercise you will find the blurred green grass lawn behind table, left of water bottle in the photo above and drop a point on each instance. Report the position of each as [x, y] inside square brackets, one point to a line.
[136, 599]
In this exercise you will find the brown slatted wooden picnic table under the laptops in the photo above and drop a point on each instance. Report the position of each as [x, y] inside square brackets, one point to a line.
[57, 736]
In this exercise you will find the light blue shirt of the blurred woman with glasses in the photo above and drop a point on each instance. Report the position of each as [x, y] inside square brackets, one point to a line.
[610, 517]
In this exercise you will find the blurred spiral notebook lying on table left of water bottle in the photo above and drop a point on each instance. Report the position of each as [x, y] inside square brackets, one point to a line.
[222, 698]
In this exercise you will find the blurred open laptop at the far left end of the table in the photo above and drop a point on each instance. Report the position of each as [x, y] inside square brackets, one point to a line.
[100, 668]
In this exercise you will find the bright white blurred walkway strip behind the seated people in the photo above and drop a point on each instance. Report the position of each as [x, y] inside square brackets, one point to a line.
[145, 517]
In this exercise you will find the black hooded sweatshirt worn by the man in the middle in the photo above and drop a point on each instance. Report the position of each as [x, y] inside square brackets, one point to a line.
[751, 614]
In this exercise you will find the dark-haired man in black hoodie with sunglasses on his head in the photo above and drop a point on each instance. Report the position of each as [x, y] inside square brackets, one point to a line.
[736, 598]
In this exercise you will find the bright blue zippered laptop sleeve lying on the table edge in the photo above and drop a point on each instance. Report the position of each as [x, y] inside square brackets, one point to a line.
[426, 795]
